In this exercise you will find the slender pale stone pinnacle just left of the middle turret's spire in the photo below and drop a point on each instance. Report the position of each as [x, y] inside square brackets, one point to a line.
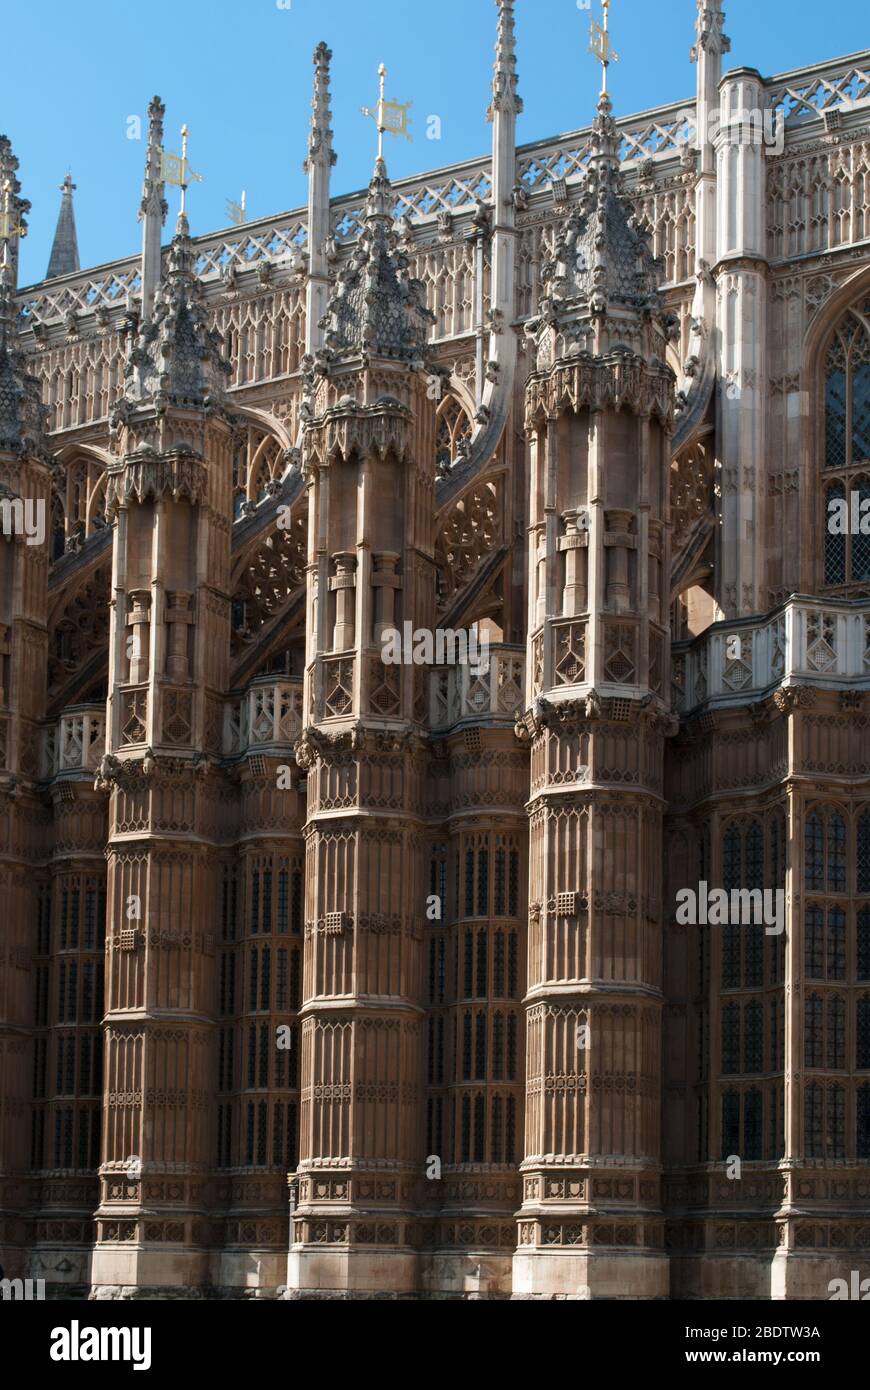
[320, 162]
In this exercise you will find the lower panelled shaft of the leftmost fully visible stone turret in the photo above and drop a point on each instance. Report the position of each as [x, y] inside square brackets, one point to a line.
[163, 1200]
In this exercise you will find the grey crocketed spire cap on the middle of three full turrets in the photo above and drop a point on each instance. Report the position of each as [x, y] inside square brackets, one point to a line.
[377, 311]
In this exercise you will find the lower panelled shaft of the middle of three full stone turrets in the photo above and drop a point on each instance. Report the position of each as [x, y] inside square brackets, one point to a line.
[356, 1209]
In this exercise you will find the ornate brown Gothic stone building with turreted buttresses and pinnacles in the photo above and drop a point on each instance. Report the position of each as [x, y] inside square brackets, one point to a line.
[596, 397]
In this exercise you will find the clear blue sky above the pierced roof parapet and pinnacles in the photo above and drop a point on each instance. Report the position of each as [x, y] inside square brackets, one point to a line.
[240, 74]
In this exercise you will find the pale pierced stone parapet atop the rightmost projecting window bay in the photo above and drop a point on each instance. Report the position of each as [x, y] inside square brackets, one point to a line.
[807, 641]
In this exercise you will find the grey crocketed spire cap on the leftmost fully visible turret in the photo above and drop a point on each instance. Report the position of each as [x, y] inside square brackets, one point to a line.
[176, 358]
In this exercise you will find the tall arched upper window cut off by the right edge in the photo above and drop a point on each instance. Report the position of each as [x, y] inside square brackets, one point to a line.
[847, 455]
